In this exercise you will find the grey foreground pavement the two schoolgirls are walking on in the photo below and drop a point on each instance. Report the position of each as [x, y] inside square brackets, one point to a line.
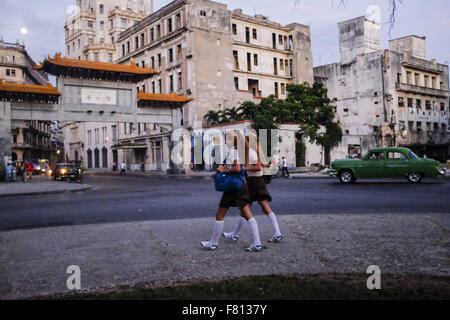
[34, 262]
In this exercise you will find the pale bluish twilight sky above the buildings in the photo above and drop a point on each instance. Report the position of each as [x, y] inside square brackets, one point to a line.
[44, 20]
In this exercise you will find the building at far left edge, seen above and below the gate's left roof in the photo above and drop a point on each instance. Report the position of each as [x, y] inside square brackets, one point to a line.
[30, 140]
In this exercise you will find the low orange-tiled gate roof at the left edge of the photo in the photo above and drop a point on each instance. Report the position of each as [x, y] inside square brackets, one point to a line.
[28, 92]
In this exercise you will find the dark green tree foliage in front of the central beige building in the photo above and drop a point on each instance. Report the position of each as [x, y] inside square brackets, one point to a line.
[308, 106]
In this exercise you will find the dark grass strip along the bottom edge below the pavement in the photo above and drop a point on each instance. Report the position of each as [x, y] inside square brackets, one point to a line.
[276, 287]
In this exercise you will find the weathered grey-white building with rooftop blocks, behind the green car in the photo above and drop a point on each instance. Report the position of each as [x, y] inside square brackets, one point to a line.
[389, 97]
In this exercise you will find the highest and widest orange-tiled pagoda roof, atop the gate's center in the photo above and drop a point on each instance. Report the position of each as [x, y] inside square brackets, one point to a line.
[72, 68]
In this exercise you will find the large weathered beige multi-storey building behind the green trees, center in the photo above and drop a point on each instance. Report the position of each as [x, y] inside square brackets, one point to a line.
[221, 57]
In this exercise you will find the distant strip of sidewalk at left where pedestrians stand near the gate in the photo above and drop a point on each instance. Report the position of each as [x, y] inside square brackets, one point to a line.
[39, 185]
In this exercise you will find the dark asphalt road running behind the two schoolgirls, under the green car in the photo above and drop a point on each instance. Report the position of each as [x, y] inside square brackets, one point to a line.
[134, 198]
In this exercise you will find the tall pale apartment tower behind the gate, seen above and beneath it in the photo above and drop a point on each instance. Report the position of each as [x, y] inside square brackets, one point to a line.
[91, 33]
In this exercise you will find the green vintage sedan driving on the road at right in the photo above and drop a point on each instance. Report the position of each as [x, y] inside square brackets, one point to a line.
[386, 163]
